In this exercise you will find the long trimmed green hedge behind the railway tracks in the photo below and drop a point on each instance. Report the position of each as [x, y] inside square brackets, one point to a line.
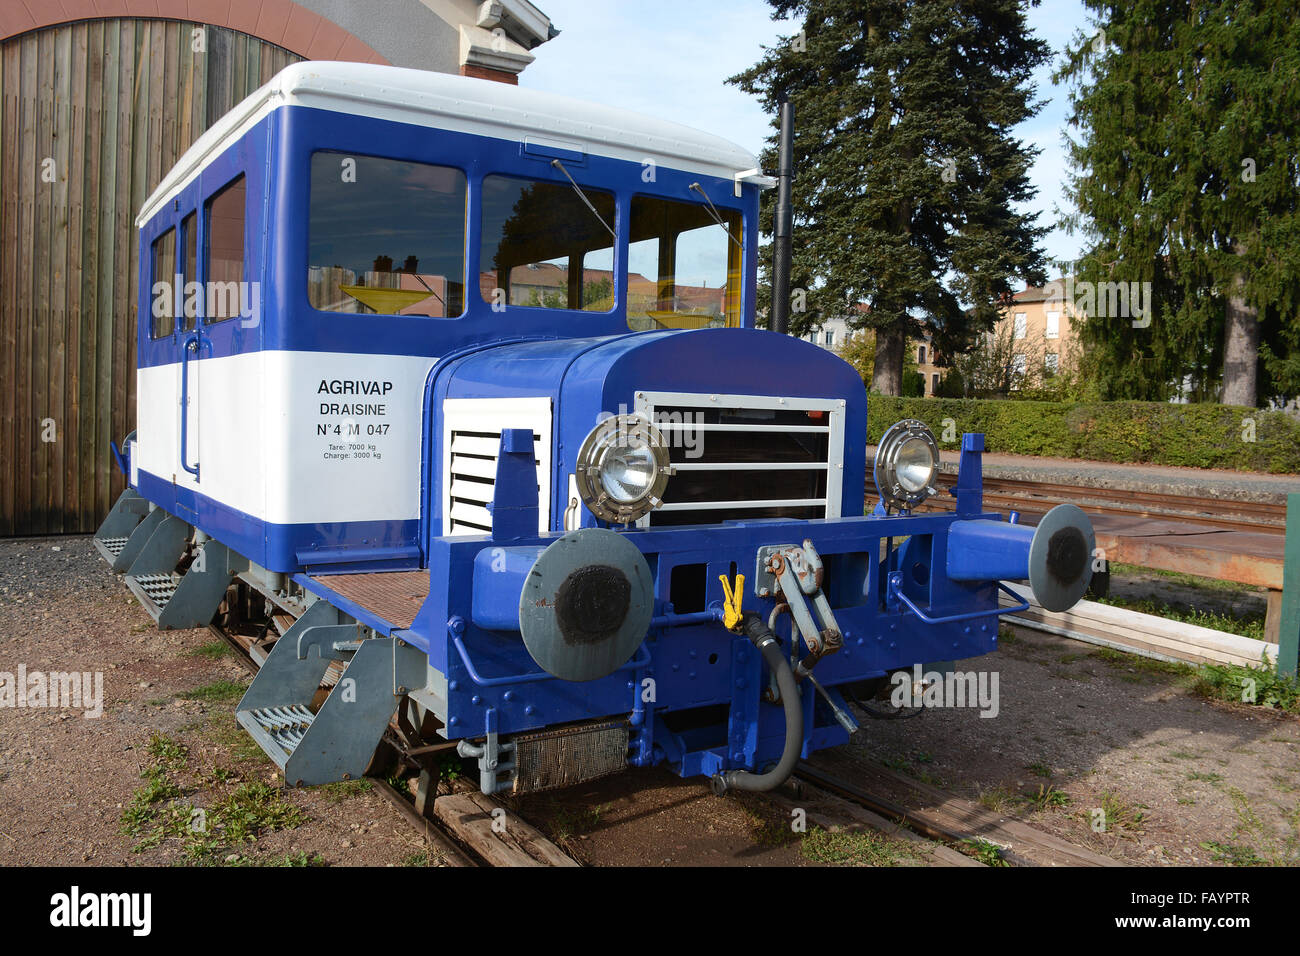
[1195, 436]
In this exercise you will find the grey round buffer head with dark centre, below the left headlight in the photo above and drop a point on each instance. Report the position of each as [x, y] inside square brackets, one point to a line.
[587, 604]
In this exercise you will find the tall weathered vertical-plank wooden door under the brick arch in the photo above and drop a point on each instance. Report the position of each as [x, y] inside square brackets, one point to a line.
[93, 115]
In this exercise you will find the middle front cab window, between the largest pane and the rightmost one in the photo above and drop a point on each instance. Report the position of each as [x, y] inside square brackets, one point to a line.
[543, 248]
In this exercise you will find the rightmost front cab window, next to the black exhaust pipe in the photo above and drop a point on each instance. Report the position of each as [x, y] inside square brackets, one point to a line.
[683, 266]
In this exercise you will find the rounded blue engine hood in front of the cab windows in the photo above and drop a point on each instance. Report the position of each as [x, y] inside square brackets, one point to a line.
[590, 379]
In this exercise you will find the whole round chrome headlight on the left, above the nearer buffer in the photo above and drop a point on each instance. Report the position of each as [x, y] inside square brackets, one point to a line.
[622, 469]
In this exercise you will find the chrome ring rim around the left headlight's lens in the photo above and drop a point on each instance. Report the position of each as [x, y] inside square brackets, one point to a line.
[609, 436]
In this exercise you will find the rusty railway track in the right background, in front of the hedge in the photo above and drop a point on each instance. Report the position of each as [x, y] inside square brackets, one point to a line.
[1002, 495]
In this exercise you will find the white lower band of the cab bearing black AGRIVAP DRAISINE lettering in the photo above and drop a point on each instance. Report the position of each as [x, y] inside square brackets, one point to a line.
[261, 447]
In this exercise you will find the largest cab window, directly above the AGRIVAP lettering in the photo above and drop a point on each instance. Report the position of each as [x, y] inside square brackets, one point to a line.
[385, 237]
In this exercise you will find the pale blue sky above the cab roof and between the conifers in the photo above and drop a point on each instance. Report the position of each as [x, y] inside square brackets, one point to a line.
[671, 59]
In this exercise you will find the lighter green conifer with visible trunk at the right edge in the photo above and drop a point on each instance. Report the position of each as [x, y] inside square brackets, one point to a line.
[1186, 118]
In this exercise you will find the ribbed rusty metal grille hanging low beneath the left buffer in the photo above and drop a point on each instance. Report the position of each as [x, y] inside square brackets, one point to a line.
[566, 756]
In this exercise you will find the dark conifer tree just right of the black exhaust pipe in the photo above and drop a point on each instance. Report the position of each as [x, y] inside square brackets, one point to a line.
[909, 181]
